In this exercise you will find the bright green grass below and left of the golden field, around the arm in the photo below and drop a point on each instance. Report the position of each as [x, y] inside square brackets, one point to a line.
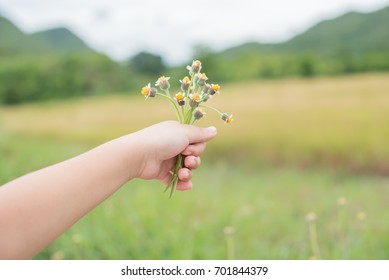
[265, 206]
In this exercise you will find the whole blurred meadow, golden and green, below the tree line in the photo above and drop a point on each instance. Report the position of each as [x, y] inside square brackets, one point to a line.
[301, 173]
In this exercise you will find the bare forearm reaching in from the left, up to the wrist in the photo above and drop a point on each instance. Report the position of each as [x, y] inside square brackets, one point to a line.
[37, 208]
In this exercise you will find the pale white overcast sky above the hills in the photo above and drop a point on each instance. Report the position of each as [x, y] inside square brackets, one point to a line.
[172, 27]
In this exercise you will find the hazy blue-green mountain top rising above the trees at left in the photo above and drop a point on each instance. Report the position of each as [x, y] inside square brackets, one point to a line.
[58, 40]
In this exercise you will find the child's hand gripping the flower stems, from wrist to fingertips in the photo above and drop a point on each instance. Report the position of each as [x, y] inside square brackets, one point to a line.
[161, 143]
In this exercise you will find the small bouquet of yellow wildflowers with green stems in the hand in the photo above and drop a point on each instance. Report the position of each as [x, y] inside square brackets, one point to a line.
[188, 104]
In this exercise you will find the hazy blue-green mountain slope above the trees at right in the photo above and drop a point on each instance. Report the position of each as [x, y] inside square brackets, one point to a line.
[352, 32]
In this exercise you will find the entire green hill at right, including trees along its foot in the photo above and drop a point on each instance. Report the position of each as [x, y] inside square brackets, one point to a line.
[354, 42]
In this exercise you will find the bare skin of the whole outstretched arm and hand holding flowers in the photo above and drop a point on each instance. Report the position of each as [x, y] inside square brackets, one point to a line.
[38, 207]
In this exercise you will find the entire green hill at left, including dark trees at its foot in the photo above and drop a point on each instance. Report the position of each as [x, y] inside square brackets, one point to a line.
[54, 64]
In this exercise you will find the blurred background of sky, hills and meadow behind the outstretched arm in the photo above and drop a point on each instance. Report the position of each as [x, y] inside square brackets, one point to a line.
[301, 173]
